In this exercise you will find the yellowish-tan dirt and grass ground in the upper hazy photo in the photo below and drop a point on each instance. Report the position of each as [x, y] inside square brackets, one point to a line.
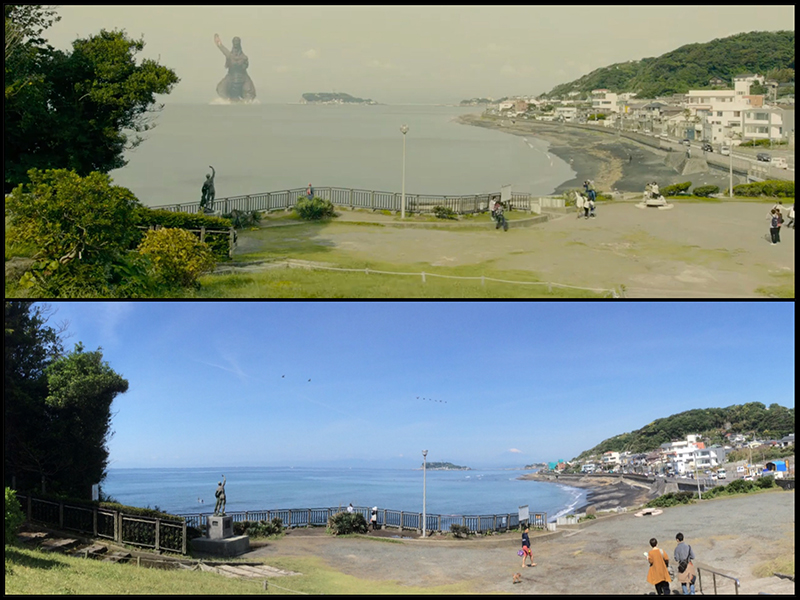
[694, 250]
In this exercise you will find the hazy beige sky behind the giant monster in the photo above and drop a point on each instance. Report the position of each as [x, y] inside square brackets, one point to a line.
[409, 54]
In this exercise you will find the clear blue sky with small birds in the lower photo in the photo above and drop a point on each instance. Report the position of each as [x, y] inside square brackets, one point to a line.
[475, 383]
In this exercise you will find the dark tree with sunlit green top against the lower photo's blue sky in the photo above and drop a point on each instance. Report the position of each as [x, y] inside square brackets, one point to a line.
[81, 388]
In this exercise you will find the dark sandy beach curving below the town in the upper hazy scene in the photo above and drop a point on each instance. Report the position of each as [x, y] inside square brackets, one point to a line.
[613, 163]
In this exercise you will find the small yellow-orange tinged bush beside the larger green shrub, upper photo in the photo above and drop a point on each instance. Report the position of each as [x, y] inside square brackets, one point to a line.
[176, 256]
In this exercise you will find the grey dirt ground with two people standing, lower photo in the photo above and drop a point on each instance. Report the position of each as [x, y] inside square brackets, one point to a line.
[729, 535]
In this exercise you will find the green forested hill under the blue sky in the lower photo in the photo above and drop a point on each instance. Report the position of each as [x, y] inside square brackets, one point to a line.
[712, 423]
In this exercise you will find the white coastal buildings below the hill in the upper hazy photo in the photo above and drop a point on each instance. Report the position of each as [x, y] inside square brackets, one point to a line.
[750, 109]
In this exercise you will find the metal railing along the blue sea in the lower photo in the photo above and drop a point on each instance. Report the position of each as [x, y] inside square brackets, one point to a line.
[318, 517]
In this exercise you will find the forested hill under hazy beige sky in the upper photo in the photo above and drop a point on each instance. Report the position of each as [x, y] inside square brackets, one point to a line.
[692, 66]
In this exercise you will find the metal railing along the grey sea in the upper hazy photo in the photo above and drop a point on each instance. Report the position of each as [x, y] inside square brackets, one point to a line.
[368, 199]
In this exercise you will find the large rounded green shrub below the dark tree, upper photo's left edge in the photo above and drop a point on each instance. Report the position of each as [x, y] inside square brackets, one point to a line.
[82, 228]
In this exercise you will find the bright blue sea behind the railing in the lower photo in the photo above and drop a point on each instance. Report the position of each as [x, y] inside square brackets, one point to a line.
[261, 488]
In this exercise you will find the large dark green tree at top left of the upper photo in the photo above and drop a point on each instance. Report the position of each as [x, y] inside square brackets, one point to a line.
[78, 110]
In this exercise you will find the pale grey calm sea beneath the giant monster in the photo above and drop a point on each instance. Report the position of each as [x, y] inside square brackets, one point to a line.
[270, 147]
